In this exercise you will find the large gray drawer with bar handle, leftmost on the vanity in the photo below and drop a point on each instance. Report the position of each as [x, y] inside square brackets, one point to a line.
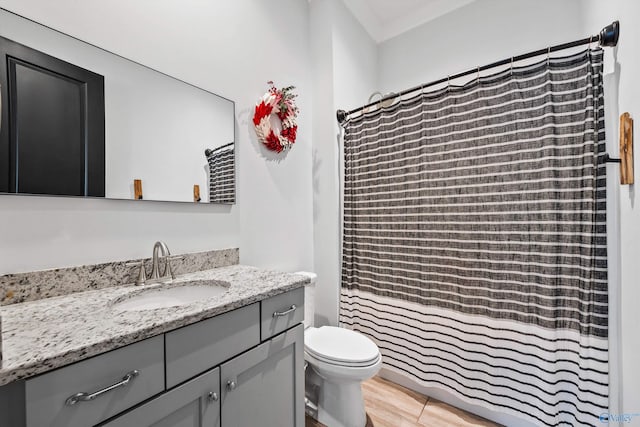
[47, 395]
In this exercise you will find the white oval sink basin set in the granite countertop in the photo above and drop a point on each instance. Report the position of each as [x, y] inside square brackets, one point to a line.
[170, 295]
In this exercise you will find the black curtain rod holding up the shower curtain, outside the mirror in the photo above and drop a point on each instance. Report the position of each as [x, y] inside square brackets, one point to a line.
[607, 37]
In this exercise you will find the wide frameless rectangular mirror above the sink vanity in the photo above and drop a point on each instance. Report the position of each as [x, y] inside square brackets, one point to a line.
[162, 139]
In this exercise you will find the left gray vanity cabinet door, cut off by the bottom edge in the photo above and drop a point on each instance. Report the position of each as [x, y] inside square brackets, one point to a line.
[196, 403]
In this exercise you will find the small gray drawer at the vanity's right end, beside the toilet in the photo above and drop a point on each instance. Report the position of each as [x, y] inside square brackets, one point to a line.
[273, 318]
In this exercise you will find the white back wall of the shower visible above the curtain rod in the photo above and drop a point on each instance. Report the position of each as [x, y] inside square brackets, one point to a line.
[477, 34]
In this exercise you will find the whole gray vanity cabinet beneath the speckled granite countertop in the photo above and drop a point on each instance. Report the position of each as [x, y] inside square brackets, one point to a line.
[243, 368]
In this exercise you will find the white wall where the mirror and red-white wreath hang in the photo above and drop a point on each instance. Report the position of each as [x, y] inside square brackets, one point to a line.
[231, 48]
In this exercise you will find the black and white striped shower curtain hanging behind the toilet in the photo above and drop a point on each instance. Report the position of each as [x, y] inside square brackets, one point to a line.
[474, 247]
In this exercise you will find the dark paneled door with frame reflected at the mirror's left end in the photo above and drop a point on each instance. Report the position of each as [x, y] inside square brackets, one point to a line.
[53, 138]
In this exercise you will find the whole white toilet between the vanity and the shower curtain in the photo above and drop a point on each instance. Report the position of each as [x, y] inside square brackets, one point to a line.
[337, 361]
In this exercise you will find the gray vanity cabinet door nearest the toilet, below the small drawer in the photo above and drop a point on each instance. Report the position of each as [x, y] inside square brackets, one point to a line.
[265, 386]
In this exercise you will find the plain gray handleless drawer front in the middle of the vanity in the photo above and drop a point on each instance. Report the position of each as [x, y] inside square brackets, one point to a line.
[196, 348]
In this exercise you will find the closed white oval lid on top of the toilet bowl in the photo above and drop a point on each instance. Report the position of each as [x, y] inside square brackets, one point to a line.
[339, 345]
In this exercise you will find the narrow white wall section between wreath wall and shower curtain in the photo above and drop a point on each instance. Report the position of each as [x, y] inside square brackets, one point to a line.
[344, 63]
